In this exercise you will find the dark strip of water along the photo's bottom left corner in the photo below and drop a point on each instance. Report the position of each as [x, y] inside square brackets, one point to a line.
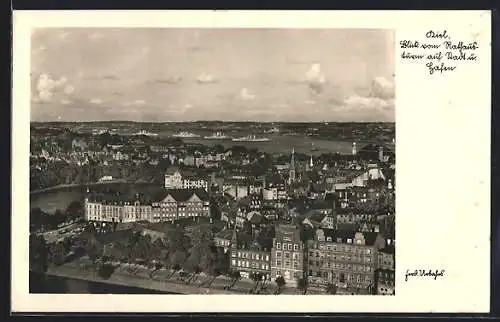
[64, 285]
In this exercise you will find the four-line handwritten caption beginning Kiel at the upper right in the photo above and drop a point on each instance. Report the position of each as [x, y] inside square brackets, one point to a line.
[439, 52]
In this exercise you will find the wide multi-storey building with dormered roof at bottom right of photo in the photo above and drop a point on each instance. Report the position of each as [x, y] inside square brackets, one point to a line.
[347, 259]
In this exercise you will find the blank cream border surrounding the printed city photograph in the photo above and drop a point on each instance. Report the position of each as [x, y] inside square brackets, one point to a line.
[443, 162]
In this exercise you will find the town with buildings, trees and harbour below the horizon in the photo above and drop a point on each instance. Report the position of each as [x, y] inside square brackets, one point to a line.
[214, 207]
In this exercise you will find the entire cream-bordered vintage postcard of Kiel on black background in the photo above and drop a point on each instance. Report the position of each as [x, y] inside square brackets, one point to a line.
[245, 161]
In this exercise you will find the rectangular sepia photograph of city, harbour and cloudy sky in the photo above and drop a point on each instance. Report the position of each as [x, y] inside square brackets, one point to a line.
[232, 195]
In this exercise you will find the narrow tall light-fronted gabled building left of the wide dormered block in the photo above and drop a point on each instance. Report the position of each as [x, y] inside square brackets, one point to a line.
[287, 255]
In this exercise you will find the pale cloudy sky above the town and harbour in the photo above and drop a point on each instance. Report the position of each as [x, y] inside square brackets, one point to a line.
[169, 74]
